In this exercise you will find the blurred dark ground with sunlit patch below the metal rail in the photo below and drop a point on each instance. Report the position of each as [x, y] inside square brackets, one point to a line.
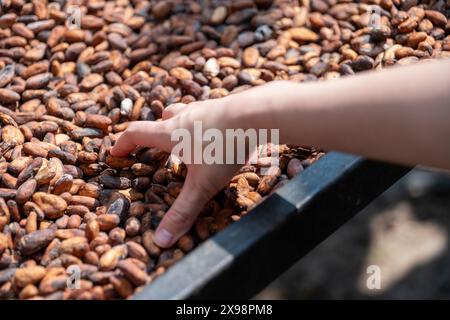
[405, 233]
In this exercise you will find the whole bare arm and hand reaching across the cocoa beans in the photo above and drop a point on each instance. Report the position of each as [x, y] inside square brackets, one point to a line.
[399, 115]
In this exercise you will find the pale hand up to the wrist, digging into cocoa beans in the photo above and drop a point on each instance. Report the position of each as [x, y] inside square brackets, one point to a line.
[202, 182]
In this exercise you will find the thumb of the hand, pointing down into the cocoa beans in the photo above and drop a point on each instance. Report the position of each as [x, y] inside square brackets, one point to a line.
[181, 216]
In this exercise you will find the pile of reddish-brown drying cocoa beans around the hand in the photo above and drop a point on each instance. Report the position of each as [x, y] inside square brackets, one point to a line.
[67, 90]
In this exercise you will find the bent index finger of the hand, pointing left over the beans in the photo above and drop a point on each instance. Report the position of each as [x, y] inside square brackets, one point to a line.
[142, 133]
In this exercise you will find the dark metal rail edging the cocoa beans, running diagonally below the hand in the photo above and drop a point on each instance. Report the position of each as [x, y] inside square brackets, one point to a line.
[245, 257]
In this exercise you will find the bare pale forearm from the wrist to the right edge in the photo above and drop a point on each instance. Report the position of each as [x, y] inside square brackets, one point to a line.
[400, 115]
